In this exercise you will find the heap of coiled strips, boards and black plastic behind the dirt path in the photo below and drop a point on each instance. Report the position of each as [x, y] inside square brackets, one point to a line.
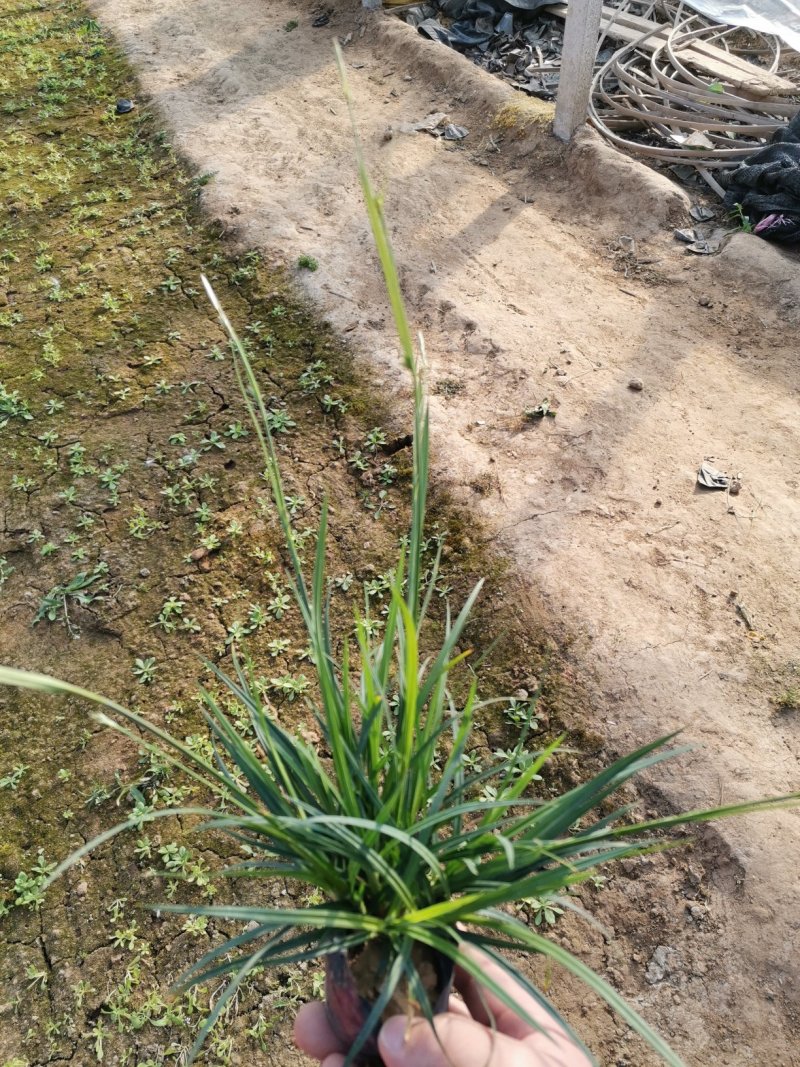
[709, 102]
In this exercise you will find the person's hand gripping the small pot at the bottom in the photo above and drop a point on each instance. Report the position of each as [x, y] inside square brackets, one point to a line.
[465, 1037]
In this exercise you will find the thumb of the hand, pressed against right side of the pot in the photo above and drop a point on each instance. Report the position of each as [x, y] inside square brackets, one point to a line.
[458, 1042]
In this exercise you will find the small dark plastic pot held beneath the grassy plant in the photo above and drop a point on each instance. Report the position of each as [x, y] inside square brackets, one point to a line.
[348, 977]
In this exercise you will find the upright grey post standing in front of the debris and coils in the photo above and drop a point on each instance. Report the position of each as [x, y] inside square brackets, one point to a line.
[582, 35]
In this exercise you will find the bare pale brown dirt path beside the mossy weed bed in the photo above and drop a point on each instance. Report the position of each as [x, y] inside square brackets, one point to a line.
[523, 294]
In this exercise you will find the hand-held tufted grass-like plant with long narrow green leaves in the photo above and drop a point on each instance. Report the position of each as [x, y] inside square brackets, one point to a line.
[415, 858]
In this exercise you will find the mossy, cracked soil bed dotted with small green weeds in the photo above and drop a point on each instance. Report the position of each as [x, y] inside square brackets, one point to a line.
[137, 537]
